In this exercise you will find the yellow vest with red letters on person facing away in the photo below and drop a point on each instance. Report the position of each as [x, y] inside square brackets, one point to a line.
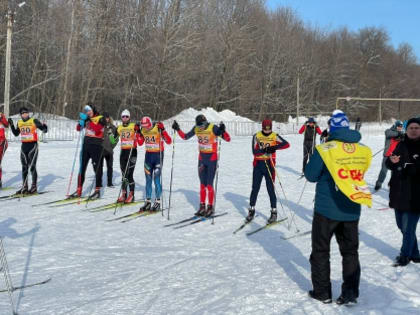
[347, 164]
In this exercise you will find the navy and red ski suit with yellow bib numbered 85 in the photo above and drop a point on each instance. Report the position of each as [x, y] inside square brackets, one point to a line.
[207, 159]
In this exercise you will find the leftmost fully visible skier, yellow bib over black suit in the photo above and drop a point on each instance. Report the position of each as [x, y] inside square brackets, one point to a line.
[26, 128]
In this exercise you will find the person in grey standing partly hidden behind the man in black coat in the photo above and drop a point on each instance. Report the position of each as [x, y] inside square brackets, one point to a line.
[393, 135]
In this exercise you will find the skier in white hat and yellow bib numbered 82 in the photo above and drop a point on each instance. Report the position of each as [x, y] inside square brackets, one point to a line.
[128, 133]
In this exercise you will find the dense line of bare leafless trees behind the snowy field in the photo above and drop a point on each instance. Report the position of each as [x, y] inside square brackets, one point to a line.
[158, 57]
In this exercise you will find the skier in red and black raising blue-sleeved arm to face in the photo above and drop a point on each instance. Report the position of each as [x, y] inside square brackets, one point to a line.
[94, 125]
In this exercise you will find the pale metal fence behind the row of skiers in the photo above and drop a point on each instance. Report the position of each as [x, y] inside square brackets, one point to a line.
[65, 129]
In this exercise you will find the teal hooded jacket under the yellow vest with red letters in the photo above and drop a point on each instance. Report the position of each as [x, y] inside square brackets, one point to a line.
[329, 201]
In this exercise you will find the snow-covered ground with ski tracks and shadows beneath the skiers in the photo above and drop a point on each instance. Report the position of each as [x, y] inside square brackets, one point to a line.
[140, 267]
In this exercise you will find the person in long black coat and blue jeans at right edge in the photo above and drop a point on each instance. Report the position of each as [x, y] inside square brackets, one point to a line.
[404, 191]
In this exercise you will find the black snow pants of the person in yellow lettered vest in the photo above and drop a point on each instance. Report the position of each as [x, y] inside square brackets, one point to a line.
[347, 236]
